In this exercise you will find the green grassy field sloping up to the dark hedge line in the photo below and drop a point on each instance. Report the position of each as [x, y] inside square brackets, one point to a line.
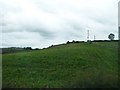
[80, 65]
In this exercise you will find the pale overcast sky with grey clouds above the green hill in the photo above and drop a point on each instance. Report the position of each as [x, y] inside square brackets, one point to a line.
[41, 23]
